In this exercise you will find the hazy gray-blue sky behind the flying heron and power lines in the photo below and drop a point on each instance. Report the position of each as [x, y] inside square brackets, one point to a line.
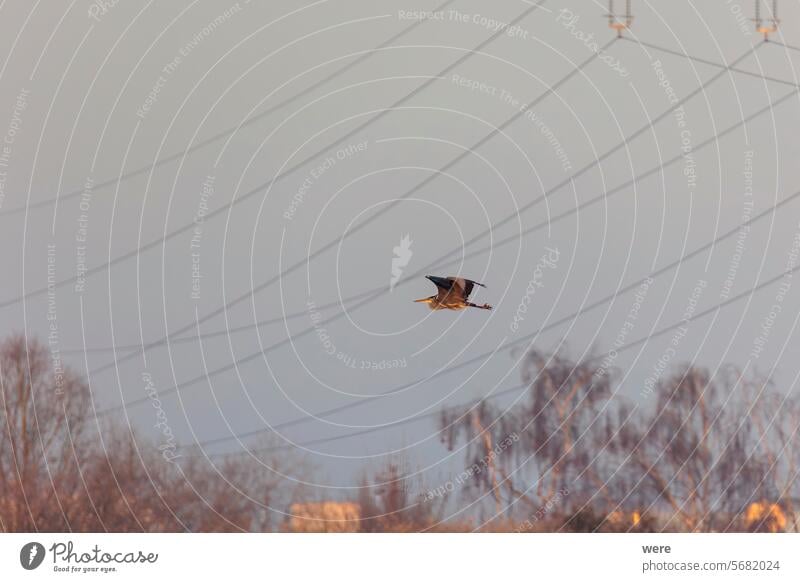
[90, 98]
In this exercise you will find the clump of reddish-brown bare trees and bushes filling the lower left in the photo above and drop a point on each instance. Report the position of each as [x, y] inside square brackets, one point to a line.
[61, 471]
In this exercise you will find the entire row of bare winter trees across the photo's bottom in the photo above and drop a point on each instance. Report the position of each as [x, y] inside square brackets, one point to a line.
[701, 451]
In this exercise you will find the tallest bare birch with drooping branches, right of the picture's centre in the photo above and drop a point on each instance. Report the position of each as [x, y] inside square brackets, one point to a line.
[557, 428]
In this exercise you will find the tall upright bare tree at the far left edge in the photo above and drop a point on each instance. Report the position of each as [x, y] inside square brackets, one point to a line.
[42, 438]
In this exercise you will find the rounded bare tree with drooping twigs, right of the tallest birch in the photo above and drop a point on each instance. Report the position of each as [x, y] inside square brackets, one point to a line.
[695, 451]
